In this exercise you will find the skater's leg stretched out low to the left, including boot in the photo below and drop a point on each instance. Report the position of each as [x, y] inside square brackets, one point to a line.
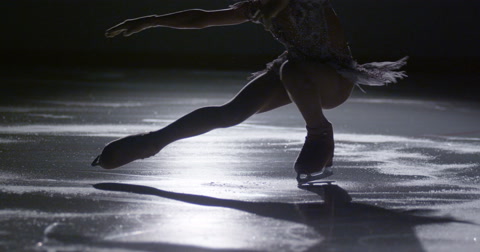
[264, 93]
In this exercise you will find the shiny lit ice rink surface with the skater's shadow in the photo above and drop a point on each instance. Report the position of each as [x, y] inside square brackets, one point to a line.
[409, 163]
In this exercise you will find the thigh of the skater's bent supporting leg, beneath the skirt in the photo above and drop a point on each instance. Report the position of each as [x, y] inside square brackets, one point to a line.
[316, 79]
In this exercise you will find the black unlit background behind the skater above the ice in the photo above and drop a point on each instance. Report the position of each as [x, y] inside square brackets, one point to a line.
[440, 36]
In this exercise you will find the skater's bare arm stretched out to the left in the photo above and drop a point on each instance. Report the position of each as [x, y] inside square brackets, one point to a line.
[187, 19]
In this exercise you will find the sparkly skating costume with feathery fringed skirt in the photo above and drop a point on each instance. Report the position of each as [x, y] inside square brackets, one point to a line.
[303, 29]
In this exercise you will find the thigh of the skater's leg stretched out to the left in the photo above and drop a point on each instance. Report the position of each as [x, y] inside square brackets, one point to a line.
[264, 93]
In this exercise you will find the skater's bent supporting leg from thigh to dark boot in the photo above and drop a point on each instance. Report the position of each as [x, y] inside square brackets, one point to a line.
[313, 87]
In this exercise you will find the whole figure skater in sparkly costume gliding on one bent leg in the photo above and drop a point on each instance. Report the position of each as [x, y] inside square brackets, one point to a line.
[315, 72]
